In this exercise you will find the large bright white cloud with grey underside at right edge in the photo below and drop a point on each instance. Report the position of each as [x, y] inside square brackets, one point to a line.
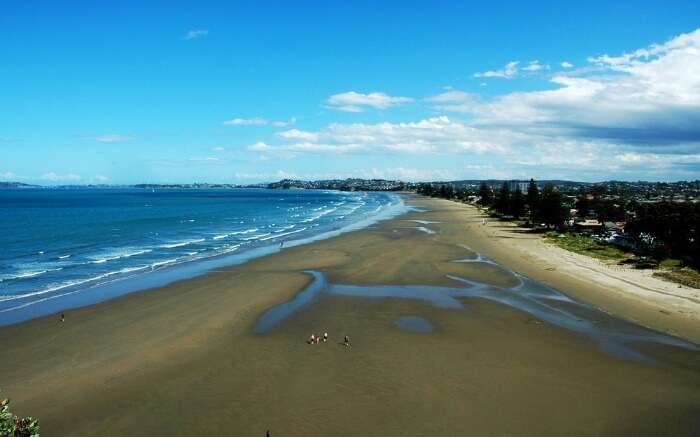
[651, 96]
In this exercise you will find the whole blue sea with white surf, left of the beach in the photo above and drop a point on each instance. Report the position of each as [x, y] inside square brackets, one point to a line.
[63, 248]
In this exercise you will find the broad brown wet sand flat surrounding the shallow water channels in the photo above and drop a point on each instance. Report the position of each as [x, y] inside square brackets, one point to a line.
[183, 359]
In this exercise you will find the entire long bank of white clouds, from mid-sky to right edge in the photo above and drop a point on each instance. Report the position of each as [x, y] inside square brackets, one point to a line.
[635, 112]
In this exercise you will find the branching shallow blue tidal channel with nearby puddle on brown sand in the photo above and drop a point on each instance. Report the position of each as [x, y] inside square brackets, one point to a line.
[612, 335]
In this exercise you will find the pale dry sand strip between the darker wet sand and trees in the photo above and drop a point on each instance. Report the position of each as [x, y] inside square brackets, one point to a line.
[631, 294]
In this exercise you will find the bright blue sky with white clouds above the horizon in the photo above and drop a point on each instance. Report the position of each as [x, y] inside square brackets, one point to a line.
[244, 92]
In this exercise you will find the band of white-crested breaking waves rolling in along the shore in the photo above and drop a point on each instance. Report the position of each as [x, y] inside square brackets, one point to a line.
[308, 221]
